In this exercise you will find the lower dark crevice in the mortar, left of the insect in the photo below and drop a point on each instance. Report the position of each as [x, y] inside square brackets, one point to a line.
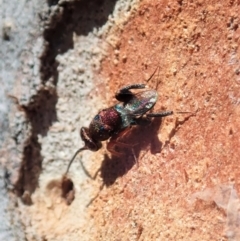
[40, 113]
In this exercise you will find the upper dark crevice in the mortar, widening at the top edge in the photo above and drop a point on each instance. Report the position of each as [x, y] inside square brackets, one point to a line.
[79, 17]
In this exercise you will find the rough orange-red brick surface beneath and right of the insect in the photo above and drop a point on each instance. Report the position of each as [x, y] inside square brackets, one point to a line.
[196, 48]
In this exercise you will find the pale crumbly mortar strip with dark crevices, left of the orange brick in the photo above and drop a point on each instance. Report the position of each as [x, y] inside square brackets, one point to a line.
[57, 92]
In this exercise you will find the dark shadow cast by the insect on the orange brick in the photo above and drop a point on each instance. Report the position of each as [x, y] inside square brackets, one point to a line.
[140, 138]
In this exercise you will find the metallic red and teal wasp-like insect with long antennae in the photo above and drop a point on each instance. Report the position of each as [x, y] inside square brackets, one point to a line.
[110, 123]
